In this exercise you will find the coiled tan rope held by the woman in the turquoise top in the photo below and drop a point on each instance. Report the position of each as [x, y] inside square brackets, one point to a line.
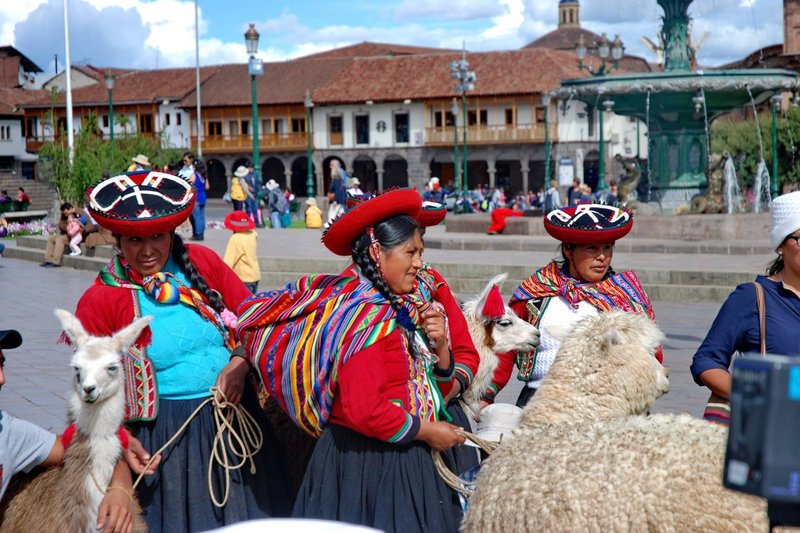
[237, 433]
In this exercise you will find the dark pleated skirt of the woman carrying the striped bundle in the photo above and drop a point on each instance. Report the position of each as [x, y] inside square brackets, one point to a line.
[357, 479]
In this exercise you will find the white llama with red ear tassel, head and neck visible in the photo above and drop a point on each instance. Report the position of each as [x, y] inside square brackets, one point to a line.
[492, 335]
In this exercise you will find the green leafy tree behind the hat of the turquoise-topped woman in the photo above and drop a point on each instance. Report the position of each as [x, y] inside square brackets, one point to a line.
[94, 157]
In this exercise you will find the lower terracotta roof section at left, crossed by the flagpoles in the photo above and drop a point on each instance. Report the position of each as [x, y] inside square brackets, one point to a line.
[140, 86]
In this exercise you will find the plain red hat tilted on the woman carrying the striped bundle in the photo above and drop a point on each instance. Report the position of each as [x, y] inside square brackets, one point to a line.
[344, 230]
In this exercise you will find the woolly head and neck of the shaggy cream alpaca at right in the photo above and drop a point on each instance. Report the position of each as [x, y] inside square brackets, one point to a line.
[606, 367]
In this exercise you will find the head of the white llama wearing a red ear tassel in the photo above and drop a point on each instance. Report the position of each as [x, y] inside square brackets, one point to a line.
[503, 330]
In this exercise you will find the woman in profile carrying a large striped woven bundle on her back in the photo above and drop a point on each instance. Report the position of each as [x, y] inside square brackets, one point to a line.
[354, 359]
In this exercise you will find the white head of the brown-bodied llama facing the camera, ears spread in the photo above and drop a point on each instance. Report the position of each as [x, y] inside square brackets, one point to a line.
[97, 360]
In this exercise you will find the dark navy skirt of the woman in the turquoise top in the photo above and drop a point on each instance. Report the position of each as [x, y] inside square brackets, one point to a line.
[176, 497]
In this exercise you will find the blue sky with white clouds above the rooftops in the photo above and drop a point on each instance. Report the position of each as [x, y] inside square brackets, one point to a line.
[160, 33]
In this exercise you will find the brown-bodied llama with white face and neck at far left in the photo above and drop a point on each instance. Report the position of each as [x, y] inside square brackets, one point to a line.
[67, 497]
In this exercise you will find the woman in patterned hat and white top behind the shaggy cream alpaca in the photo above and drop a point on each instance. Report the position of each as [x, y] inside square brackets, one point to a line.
[565, 291]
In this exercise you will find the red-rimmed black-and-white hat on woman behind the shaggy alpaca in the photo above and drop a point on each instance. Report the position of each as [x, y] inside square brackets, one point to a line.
[588, 224]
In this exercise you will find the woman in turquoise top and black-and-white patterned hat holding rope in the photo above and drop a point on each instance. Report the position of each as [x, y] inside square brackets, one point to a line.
[188, 348]
